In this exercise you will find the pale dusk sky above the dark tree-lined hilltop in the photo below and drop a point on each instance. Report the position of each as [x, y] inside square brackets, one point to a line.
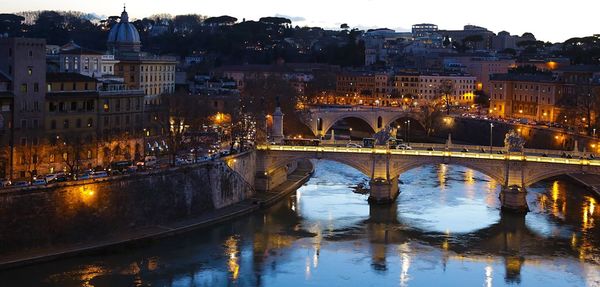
[549, 20]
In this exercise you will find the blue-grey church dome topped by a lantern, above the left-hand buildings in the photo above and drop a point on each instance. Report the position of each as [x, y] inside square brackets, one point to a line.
[124, 37]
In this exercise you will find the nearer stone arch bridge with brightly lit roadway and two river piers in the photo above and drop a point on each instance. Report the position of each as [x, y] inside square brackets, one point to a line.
[514, 171]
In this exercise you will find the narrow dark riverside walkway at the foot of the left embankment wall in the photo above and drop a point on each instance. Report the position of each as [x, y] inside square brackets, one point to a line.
[135, 236]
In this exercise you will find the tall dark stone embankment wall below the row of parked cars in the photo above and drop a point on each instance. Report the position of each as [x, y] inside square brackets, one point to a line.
[91, 210]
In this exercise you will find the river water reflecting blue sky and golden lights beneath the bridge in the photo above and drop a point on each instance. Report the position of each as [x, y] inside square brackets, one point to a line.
[446, 229]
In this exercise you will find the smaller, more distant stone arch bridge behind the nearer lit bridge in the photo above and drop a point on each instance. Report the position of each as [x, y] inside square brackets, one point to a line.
[321, 119]
